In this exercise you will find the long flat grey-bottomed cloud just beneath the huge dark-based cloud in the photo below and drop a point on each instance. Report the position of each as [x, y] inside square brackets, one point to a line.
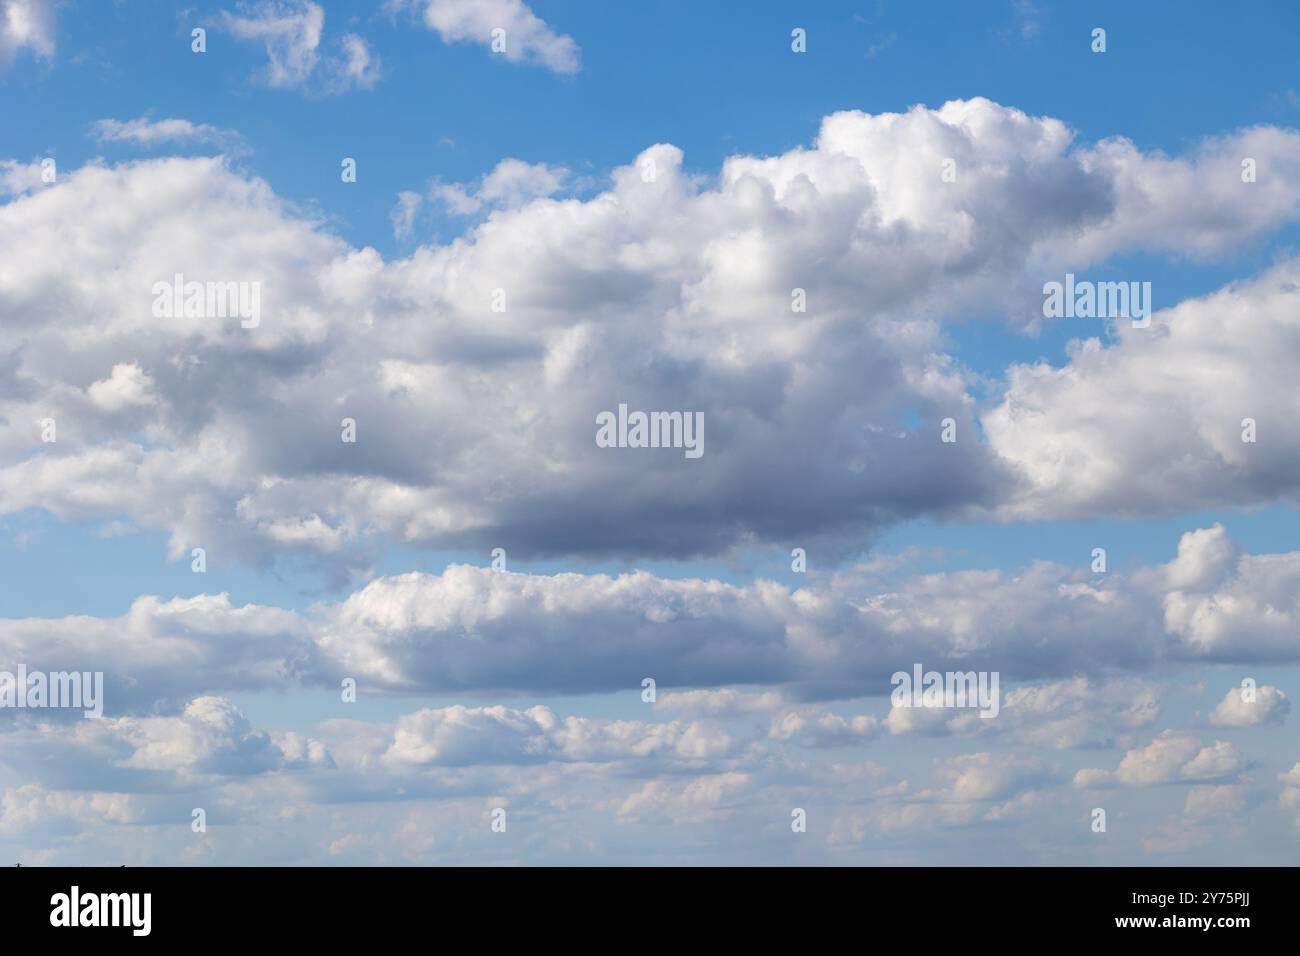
[476, 628]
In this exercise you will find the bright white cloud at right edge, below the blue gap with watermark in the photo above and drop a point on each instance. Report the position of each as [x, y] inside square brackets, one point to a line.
[1175, 443]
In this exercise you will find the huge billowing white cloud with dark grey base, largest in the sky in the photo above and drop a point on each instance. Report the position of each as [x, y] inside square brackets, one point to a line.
[666, 292]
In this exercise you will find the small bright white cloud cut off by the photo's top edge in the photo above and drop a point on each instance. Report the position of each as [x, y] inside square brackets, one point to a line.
[526, 40]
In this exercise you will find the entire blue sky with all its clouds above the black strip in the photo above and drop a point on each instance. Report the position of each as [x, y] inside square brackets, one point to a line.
[1182, 85]
